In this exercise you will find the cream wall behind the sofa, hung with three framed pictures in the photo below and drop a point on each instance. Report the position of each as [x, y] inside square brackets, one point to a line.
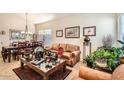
[105, 24]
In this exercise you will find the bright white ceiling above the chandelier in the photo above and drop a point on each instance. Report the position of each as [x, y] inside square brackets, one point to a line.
[37, 18]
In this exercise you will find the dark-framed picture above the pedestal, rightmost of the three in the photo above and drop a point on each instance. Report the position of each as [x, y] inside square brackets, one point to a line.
[89, 31]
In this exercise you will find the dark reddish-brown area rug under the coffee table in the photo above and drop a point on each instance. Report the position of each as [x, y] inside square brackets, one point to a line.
[28, 74]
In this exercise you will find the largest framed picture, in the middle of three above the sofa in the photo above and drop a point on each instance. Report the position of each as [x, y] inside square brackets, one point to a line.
[72, 32]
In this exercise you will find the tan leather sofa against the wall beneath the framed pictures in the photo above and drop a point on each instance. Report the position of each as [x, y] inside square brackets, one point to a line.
[71, 52]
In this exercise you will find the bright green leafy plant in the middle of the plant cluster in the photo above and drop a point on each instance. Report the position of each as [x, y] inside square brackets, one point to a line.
[110, 57]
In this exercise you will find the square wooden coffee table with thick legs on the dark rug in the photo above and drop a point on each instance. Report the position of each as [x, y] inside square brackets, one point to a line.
[45, 72]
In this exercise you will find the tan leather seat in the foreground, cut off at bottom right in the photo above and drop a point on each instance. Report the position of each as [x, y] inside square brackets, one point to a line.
[92, 74]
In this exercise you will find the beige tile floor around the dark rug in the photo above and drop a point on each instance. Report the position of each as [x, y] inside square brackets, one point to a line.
[6, 72]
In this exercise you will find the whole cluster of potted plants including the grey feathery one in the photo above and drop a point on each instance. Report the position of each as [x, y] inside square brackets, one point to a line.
[108, 55]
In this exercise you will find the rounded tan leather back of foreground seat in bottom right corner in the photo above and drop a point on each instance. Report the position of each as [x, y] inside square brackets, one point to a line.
[118, 73]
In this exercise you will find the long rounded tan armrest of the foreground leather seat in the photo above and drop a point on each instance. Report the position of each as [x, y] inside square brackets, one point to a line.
[92, 74]
